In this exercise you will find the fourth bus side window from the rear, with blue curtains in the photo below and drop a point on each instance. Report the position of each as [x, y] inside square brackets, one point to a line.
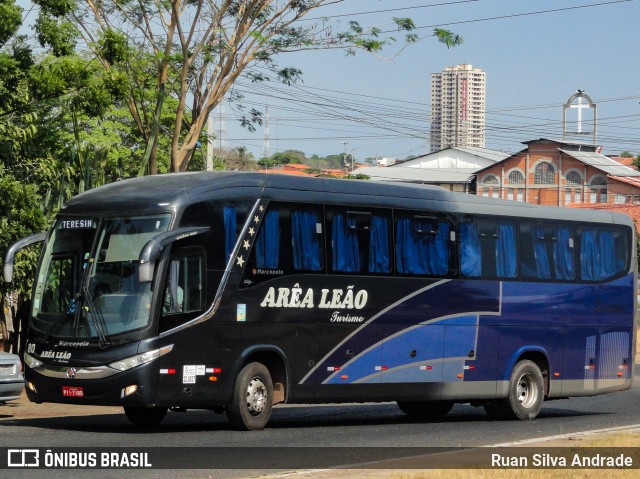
[423, 245]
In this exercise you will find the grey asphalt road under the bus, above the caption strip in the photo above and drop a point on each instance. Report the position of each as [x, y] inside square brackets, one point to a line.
[370, 425]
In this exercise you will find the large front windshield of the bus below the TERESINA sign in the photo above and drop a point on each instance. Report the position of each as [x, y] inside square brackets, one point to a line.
[85, 293]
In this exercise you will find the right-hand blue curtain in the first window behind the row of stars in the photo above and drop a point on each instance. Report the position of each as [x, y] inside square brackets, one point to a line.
[306, 241]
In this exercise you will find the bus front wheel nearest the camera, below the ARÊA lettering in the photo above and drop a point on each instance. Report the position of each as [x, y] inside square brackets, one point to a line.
[252, 401]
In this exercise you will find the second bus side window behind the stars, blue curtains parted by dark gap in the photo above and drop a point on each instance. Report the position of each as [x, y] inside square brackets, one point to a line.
[359, 242]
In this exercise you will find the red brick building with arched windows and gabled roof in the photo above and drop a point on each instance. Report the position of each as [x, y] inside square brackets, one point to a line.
[560, 173]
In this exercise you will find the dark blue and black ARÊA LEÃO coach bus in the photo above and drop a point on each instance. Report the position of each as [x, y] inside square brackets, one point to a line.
[234, 292]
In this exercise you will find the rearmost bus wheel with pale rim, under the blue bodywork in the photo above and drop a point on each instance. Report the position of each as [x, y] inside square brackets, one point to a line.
[526, 392]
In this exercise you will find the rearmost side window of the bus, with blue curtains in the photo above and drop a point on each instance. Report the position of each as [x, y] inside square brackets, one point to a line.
[603, 253]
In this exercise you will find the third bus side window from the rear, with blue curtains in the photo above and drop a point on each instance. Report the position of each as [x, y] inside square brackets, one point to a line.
[488, 249]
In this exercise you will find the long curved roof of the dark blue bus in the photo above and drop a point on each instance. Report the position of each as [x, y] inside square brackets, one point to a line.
[172, 192]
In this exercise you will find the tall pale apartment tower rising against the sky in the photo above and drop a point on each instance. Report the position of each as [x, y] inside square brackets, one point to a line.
[458, 107]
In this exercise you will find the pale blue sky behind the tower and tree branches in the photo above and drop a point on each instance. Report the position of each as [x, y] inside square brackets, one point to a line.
[536, 54]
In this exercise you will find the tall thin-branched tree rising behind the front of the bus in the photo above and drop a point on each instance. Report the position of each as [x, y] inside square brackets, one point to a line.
[200, 48]
